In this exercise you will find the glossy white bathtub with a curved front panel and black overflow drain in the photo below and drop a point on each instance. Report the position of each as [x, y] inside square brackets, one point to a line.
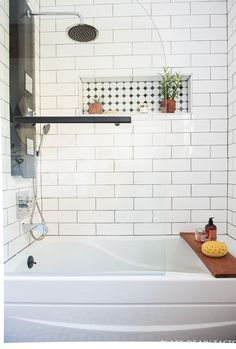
[115, 289]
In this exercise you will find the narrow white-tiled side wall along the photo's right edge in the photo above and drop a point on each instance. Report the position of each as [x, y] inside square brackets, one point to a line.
[232, 118]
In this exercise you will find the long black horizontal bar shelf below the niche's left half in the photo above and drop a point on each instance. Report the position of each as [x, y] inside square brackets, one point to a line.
[72, 119]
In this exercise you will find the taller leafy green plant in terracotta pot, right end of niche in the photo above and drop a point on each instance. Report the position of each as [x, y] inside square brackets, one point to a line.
[169, 86]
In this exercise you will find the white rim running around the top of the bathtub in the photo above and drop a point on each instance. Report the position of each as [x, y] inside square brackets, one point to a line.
[8, 273]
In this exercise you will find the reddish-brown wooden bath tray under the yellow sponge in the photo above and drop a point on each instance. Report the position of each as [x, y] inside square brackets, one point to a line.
[222, 267]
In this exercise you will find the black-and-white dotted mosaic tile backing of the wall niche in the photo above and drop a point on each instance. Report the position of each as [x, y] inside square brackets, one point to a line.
[127, 95]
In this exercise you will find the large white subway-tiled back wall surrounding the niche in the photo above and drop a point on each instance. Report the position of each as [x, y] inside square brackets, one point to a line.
[163, 173]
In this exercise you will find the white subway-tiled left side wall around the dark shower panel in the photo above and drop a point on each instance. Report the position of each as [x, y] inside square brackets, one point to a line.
[14, 239]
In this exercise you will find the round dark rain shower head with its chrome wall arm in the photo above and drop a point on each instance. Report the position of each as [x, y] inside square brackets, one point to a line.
[80, 32]
